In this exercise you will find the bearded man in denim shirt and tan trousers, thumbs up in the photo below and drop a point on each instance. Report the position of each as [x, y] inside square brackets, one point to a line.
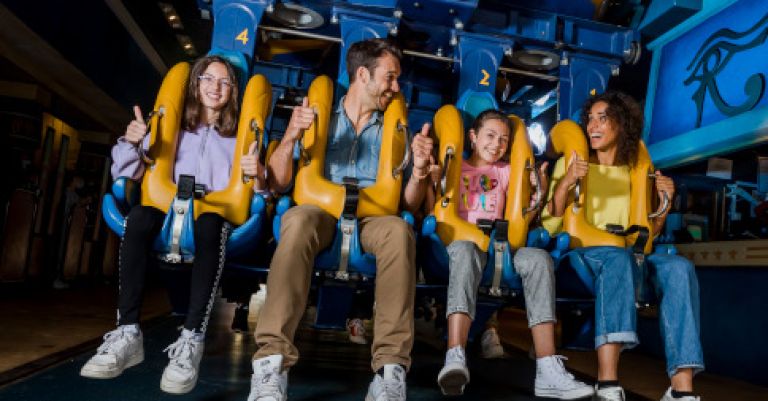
[354, 144]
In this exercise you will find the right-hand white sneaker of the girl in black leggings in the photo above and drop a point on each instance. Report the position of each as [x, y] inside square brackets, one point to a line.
[180, 376]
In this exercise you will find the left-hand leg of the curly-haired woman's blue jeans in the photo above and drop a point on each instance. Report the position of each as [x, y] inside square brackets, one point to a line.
[615, 314]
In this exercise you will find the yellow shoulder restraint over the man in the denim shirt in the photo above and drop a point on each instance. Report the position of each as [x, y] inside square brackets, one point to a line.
[311, 186]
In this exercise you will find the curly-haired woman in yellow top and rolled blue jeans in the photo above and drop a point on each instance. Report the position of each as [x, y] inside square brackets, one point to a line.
[614, 123]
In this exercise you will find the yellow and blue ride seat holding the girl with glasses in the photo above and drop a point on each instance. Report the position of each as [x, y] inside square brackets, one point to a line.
[237, 203]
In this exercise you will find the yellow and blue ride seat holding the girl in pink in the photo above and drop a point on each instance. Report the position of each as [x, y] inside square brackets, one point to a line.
[445, 226]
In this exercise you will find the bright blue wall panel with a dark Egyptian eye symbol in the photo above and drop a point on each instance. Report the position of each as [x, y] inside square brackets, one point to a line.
[707, 93]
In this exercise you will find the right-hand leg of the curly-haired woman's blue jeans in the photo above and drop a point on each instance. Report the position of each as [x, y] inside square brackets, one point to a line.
[674, 279]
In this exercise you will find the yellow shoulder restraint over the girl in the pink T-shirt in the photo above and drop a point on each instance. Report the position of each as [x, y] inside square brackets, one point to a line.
[451, 227]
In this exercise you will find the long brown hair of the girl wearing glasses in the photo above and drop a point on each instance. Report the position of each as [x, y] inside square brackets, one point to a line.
[227, 122]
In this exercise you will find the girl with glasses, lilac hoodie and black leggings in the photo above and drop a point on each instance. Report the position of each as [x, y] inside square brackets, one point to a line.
[206, 150]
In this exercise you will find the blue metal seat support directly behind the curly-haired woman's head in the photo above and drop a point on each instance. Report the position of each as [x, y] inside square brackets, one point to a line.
[581, 77]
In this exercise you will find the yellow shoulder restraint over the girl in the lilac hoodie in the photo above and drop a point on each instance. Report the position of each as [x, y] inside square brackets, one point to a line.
[158, 187]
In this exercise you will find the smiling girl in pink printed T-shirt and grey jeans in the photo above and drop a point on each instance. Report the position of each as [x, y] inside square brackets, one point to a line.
[484, 182]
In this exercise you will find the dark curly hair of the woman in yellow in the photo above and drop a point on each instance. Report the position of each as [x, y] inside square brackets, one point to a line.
[626, 115]
